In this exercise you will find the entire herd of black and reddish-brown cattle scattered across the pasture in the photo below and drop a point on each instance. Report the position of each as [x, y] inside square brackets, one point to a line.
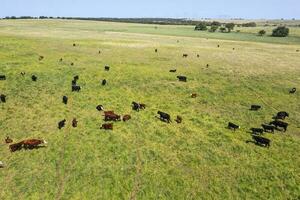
[110, 116]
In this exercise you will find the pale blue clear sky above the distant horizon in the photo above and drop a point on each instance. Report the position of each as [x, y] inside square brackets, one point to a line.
[248, 9]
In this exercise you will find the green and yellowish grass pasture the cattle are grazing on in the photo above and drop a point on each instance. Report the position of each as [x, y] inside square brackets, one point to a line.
[146, 158]
